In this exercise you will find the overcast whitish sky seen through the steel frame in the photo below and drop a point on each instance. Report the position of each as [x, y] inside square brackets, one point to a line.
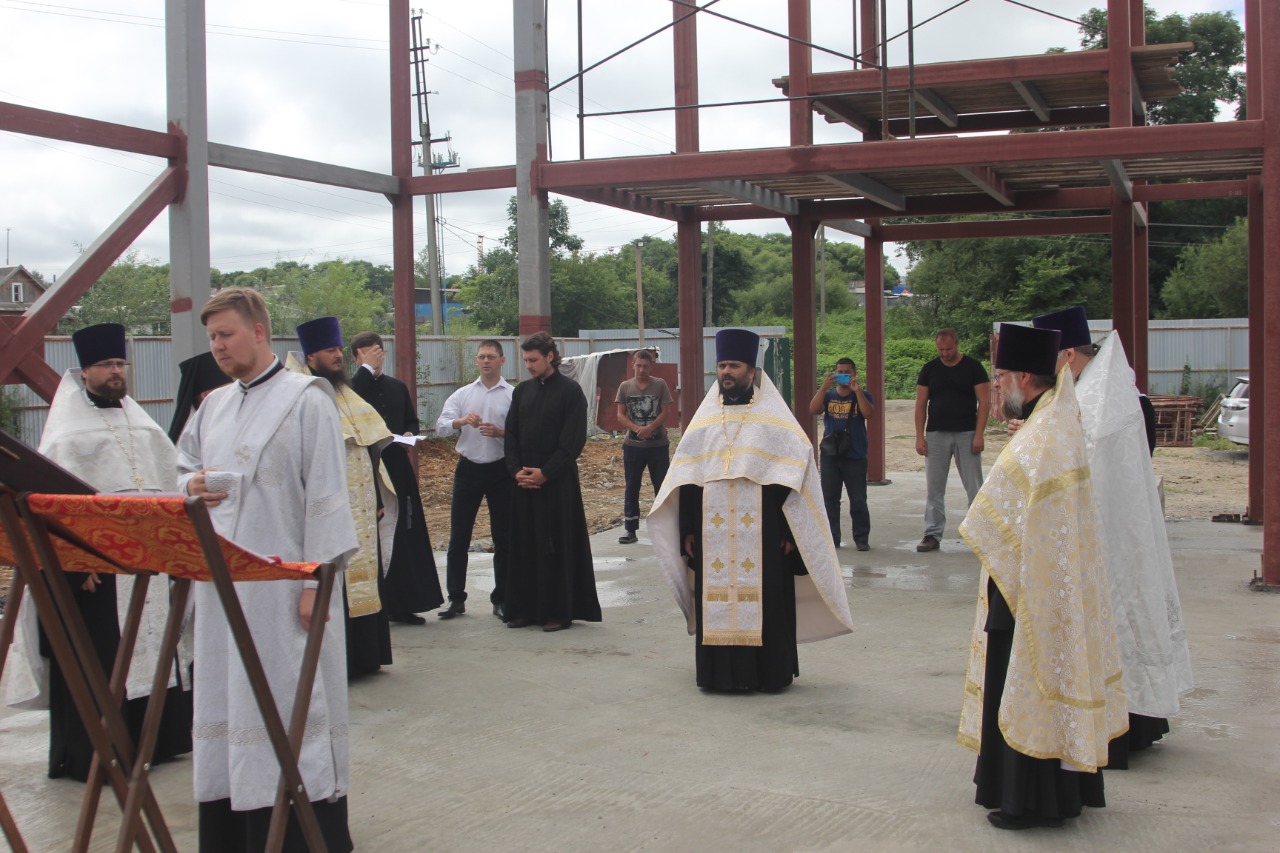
[310, 79]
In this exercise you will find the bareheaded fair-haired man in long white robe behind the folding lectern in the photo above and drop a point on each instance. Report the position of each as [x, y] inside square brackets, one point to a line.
[267, 455]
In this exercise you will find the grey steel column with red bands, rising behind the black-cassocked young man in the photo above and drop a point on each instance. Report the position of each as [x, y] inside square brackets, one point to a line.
[532, 220]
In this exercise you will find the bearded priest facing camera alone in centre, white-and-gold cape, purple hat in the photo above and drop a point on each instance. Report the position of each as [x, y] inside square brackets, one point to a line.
[740, 532]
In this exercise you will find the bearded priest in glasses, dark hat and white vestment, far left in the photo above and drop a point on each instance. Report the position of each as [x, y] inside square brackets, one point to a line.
[102, 436]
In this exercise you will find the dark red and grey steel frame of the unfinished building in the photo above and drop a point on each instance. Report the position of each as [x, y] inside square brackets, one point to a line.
[1108, 172]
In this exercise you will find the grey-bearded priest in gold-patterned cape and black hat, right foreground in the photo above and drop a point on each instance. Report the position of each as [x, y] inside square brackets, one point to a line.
[1044, 694]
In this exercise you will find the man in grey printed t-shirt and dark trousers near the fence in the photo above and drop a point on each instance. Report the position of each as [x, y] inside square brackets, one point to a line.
[644, 405]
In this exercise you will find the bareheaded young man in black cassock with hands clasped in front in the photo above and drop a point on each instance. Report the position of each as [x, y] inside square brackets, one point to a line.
[551, 581]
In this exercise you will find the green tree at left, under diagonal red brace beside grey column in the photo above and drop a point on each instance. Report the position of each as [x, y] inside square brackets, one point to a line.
[134, 293]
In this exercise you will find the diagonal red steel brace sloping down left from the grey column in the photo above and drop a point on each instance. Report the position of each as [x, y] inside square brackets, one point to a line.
[53, 305]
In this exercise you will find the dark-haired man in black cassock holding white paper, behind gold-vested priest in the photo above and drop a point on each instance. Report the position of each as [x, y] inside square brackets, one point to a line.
[410, 586]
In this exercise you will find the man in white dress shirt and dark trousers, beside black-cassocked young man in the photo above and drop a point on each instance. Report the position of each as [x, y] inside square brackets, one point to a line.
[479, 413]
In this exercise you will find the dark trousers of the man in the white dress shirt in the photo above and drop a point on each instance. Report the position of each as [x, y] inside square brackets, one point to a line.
[473, 483]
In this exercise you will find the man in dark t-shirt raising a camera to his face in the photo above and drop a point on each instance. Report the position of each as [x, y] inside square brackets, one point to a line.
[845, 408]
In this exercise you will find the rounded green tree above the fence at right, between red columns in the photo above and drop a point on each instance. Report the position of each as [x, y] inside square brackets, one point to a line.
[1213, 279]
